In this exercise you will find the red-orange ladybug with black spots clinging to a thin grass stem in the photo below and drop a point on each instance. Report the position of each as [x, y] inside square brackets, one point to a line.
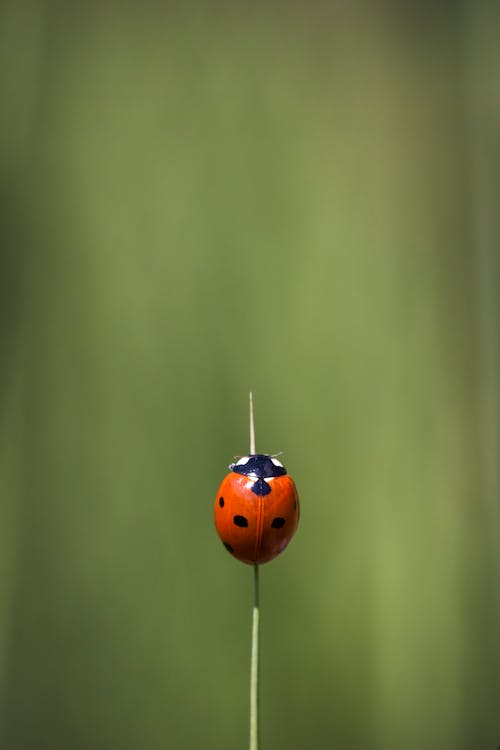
[256, 509]
